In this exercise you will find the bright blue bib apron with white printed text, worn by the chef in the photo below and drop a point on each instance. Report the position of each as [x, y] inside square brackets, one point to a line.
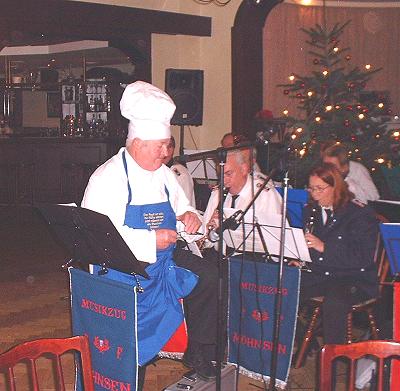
[159, 310]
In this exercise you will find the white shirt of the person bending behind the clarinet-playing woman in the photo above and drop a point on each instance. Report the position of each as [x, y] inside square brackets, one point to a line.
[360, 183]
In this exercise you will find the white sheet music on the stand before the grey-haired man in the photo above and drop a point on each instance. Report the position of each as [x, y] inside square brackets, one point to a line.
[295, 243]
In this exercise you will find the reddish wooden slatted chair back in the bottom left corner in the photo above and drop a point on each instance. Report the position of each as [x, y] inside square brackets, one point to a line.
[54, 347]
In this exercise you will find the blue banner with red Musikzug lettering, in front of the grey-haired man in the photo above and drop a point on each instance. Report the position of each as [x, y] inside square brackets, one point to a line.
[252, 298]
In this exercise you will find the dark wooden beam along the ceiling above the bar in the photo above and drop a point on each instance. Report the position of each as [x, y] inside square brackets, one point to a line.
[96, 21]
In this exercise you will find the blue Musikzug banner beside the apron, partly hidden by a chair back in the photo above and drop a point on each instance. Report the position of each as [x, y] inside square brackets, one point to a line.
[105, 311]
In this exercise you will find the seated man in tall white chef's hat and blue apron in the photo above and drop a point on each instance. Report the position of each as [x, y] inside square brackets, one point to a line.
[142, 198]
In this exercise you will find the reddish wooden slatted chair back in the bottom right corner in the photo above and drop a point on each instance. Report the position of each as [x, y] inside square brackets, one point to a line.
[380, 349]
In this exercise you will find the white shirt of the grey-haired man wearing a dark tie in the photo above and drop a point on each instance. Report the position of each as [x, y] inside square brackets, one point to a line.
[268, 202]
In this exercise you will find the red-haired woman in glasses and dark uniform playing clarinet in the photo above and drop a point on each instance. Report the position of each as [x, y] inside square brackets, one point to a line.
[341, 238]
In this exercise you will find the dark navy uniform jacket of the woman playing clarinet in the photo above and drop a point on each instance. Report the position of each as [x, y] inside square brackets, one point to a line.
[350, 241]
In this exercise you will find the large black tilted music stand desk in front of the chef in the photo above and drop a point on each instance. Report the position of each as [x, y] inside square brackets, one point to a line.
[91, 238]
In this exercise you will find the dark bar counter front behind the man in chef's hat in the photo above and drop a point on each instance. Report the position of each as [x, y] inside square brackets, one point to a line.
[50, 169]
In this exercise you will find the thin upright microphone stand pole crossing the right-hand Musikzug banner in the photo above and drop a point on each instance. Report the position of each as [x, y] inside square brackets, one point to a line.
[278, 299]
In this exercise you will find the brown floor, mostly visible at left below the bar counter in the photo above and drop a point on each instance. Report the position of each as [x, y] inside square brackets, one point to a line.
[35, 302]
